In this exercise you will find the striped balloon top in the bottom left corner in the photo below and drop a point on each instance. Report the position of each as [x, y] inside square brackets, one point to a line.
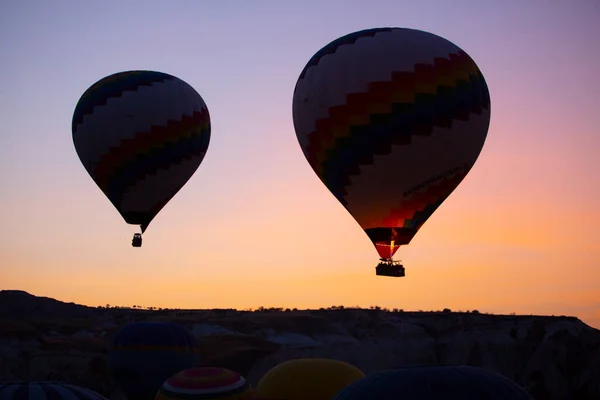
[45, 390]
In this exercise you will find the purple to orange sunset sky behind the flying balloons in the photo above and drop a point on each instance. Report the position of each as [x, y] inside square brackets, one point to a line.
[255, 226]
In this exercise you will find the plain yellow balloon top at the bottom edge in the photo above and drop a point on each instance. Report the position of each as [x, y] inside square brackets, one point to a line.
[308, 378]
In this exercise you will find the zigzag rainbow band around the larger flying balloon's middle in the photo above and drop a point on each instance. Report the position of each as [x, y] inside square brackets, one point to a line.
[411, 103]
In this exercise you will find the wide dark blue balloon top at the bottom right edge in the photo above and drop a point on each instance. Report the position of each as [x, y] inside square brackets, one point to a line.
[442, 382]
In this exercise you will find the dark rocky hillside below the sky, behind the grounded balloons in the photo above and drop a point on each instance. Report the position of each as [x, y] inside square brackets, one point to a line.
[552, 357]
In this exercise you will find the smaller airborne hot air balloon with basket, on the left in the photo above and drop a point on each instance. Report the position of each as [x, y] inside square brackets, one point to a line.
[141, 135]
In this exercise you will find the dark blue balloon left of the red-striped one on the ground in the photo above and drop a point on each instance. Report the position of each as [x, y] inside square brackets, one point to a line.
[142, 355]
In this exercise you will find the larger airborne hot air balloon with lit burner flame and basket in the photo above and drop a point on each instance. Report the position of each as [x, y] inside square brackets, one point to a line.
[391, 120]
